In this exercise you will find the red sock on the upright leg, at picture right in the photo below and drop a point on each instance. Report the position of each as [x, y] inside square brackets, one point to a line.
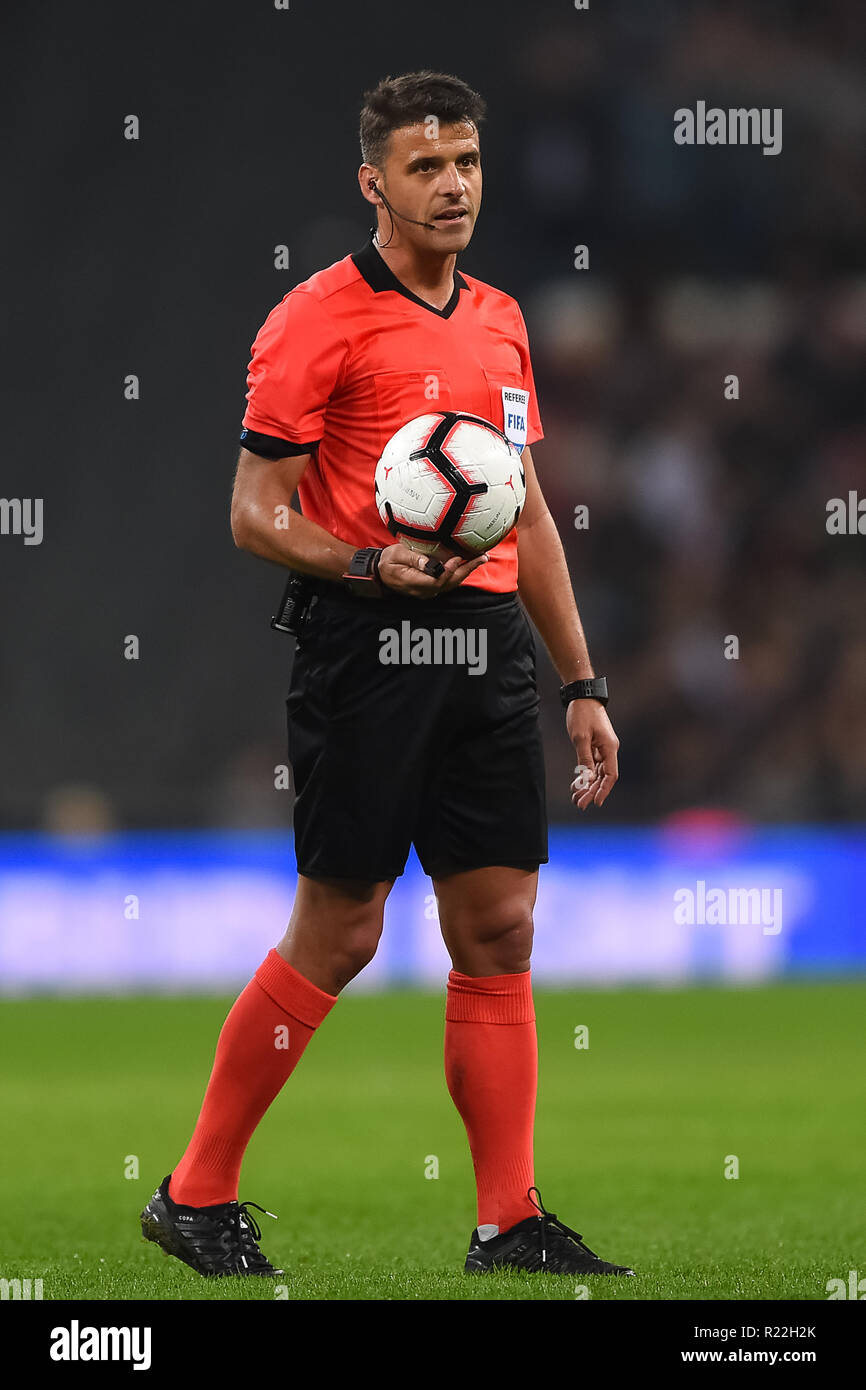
[491, 1068]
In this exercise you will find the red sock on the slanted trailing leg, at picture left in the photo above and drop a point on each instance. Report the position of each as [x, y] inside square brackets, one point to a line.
[261, 1045]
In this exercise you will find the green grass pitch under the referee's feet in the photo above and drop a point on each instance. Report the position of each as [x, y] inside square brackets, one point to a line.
[633, 1138]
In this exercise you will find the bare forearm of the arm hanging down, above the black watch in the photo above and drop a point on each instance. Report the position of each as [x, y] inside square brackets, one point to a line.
[546, 590]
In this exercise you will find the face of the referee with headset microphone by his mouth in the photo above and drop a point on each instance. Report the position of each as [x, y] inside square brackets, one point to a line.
[433, 173]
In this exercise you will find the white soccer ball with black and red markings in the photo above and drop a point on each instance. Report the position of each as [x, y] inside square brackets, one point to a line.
[450, 483]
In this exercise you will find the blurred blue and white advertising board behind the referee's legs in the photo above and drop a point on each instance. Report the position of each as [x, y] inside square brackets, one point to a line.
[197, 913]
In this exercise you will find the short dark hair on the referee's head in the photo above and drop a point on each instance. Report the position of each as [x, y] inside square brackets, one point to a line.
[411, 99]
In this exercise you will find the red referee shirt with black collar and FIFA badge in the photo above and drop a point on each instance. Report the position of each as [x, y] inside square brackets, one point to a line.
[351, 355]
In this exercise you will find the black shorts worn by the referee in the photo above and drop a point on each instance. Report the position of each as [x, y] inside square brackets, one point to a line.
[416, 722]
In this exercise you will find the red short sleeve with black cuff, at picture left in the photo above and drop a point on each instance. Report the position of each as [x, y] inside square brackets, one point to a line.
[297, 363]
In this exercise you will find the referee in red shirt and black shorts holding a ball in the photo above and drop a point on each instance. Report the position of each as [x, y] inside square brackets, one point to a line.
[444, 757]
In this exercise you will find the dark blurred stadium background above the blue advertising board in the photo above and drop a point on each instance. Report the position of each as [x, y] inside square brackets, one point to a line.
[707, 516]
